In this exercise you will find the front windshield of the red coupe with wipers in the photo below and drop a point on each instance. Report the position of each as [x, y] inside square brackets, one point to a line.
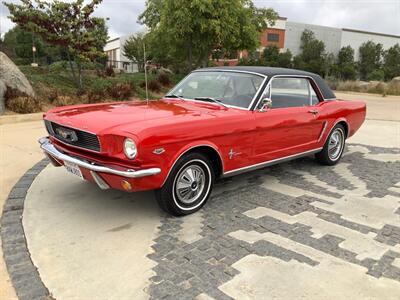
[229, 88]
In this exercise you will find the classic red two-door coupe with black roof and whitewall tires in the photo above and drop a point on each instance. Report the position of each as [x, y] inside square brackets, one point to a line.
[216, 122]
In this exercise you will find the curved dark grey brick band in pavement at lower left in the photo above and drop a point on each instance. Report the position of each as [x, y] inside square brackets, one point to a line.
[23, 273]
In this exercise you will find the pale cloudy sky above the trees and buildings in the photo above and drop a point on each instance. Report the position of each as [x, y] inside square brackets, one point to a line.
[370, 15]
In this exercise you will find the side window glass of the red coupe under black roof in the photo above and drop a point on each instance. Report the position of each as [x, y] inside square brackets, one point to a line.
[292, 92]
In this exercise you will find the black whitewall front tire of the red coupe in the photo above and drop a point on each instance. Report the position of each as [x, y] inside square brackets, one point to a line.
[167, 196]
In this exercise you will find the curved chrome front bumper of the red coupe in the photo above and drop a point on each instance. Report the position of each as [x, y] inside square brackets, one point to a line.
[49, 149]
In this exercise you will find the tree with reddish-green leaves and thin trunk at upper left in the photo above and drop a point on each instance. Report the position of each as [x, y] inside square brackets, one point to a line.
[69, 25]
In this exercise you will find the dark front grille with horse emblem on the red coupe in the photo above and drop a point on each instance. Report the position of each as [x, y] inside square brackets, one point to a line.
[82, 139]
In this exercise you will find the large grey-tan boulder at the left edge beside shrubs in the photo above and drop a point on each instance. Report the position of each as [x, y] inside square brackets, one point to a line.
[12, 77]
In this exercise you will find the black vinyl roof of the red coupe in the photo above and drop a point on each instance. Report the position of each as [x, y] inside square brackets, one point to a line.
[327, 93]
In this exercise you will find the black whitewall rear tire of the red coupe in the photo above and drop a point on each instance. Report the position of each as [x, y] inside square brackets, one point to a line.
[325, 157]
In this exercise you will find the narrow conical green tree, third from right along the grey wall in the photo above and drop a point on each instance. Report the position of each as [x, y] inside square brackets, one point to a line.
[345, 68]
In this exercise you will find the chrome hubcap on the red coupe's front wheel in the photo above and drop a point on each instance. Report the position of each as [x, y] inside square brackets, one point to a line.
[190, 184]
